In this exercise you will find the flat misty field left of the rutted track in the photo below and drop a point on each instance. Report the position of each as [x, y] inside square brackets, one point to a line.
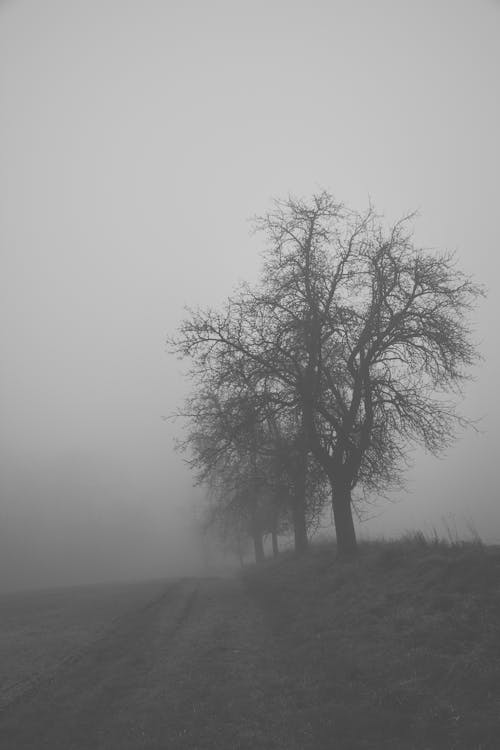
[40, 629]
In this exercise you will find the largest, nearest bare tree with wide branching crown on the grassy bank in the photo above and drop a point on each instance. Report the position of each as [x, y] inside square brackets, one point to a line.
[357, 332]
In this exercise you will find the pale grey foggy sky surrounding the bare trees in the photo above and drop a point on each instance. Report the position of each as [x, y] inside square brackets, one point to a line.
[136, 139]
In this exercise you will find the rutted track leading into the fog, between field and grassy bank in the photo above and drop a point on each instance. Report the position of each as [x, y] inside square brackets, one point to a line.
[192, 670]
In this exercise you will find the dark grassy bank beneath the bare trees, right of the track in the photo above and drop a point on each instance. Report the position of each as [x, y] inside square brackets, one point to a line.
[398, 649]
